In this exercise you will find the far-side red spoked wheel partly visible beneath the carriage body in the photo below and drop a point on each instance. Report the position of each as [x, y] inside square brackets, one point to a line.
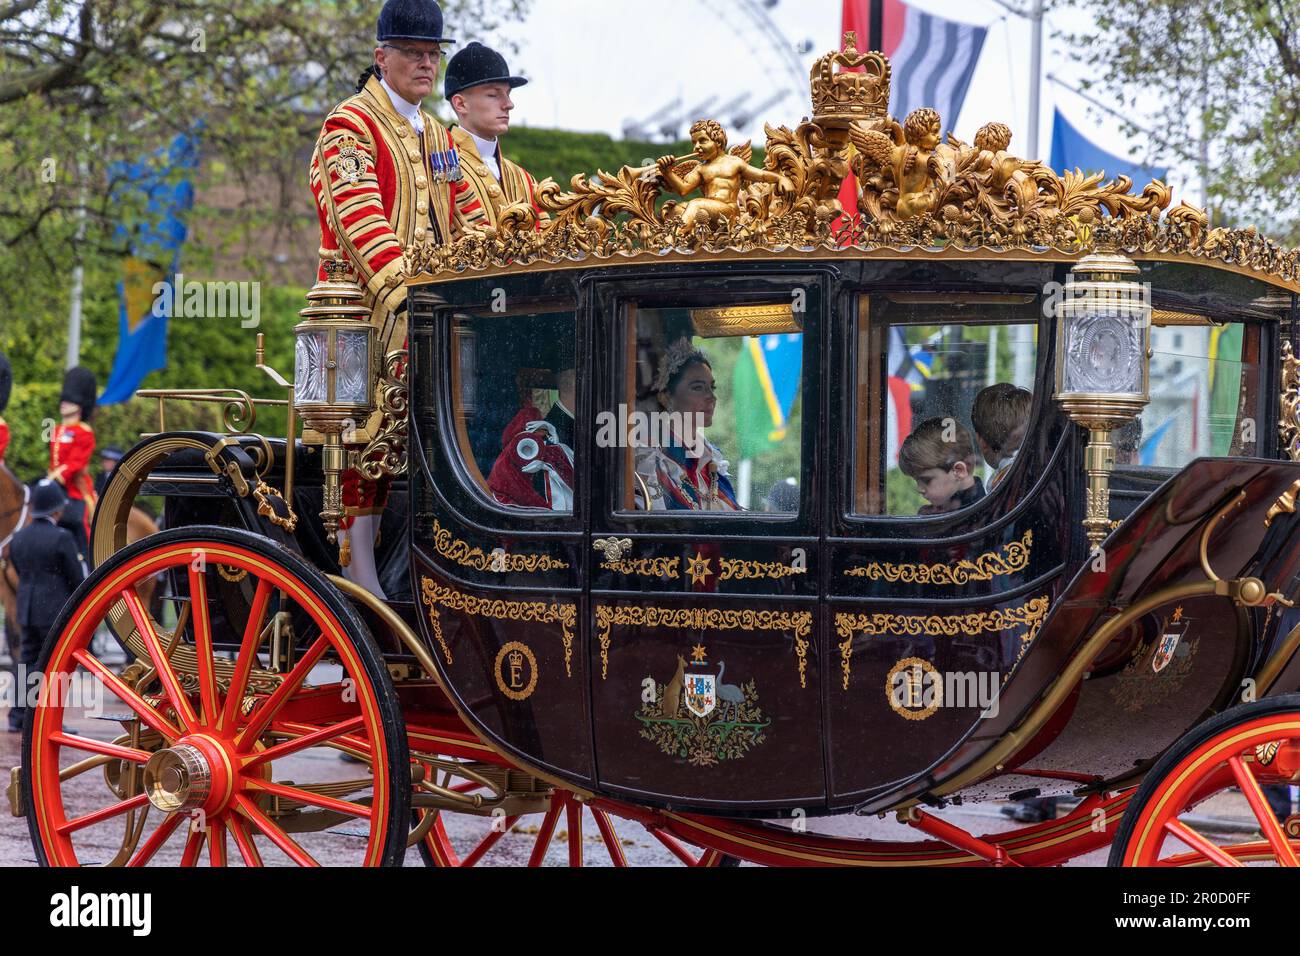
[534, 825]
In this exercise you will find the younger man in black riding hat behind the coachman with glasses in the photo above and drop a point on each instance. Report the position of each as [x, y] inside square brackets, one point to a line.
[479, 86]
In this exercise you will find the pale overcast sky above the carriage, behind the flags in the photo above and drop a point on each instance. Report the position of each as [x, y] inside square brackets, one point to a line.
[600, 64]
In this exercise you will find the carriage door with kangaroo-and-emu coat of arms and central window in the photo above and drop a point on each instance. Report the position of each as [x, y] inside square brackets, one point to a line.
[705, 672]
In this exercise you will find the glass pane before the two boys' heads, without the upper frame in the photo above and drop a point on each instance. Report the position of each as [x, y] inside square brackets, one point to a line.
[956, 405]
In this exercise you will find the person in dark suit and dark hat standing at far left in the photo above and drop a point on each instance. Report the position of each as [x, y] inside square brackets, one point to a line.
[50, 570]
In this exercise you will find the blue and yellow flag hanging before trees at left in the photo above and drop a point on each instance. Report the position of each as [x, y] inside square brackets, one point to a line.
[155, 252]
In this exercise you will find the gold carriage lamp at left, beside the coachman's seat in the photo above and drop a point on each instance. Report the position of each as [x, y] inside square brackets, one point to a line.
[336, 366]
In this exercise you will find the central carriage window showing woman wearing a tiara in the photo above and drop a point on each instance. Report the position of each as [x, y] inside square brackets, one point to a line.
[712, 410]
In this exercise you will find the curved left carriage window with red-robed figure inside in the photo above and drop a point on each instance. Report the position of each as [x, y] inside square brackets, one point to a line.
[514, 397]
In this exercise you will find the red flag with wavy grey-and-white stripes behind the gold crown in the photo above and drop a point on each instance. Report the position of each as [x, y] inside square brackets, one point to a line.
[933, 59]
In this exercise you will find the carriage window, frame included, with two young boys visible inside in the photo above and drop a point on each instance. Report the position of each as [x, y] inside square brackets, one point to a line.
[946, 391]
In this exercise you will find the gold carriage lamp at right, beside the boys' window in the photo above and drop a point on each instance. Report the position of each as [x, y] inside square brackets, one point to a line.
[1103, 366]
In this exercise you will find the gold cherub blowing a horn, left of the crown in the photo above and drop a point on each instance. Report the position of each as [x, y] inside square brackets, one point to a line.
[720, 175]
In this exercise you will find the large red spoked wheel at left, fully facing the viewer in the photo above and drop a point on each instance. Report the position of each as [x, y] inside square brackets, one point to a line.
[222, 745]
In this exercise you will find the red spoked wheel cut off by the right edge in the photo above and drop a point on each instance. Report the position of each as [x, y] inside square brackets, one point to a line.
[1240, 767]
